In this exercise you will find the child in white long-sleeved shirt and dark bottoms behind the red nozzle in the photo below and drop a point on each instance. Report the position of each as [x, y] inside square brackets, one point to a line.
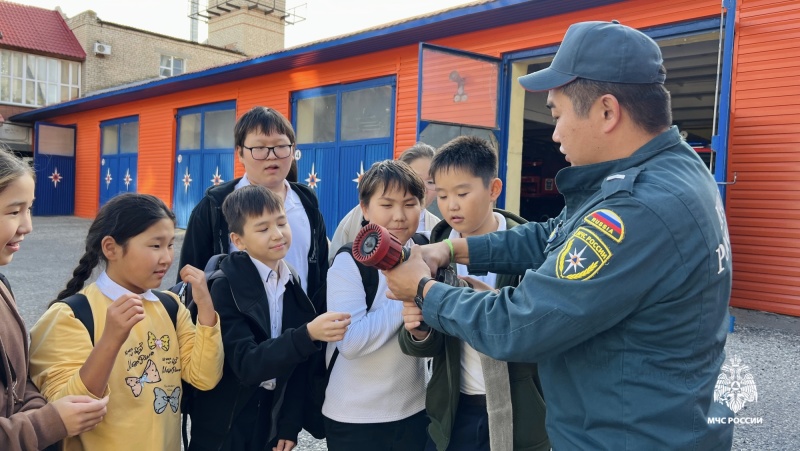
[375, 399]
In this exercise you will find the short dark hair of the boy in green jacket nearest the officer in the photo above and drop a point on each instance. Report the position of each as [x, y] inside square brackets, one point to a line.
[472, 154]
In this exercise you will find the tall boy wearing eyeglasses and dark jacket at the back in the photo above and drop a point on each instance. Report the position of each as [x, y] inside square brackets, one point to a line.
[264, 141]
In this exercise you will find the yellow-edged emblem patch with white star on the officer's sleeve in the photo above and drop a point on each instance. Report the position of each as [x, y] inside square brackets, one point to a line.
[582, 256]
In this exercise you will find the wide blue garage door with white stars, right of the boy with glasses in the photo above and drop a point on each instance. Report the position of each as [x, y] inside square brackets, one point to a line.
[341, 130]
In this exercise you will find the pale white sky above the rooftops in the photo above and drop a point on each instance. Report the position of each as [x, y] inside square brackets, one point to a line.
[323, 18]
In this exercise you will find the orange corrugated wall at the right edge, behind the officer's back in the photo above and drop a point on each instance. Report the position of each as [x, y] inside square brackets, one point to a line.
[764, 204]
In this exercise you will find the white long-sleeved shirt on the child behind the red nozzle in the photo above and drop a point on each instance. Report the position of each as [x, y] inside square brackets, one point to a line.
[372, 380]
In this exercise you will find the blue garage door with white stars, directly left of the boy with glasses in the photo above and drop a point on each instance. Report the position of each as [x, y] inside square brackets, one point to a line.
[205, 154]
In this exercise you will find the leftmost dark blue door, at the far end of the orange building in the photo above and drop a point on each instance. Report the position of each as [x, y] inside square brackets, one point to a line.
[54, 162]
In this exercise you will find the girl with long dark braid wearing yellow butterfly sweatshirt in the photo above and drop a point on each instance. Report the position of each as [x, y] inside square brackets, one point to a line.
[136, 355]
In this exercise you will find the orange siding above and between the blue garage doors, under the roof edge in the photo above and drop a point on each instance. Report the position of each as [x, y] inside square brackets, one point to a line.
[156, 115]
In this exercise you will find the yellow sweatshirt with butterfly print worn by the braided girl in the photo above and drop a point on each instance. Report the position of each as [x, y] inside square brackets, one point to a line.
[145, 384]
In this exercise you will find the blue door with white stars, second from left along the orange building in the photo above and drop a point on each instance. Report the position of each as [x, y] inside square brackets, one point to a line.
[119, 144]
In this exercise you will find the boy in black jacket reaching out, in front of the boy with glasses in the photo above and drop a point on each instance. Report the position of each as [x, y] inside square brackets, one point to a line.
[270, 329]
